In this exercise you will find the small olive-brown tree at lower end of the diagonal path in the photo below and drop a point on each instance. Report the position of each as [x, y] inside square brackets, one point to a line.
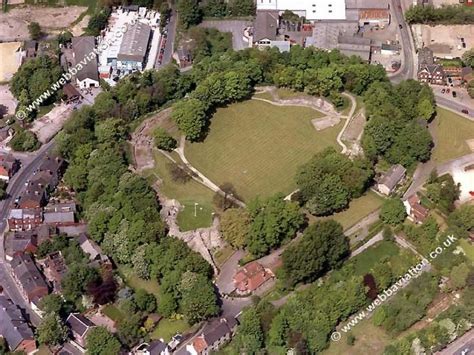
[234, 226]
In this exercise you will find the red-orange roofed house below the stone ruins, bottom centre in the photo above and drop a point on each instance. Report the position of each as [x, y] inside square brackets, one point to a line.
[251, 277]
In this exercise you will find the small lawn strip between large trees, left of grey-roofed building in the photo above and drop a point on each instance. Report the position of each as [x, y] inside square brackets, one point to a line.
[358, 209]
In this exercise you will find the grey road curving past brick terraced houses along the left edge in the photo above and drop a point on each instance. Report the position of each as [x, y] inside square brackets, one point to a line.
[14, 188]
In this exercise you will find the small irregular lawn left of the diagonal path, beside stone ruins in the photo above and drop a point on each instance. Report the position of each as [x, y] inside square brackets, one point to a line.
[187, 194]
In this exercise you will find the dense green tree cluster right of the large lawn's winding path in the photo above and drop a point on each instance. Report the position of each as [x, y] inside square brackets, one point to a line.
[394, 131]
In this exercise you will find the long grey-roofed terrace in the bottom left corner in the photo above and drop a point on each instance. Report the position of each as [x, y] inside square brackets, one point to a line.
[14, 327]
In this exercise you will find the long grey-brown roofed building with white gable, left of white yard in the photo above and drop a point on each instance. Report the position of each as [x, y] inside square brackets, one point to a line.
[82, 48]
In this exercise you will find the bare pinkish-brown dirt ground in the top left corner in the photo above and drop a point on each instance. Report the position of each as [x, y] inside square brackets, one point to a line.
[14, 23]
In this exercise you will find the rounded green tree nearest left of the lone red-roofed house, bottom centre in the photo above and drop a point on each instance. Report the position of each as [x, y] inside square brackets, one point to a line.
[198, 298]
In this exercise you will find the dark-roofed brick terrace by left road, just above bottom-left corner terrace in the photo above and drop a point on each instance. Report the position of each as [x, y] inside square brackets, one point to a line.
[31, 284]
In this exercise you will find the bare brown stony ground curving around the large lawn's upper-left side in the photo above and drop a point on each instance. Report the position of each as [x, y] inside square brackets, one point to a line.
[142, 140]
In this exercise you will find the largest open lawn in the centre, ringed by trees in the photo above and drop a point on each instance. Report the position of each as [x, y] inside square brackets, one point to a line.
[257, 147]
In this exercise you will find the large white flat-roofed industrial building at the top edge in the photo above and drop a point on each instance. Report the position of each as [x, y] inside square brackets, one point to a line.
[310, 9]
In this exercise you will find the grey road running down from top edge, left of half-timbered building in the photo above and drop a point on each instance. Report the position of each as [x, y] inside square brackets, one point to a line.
[408, 64]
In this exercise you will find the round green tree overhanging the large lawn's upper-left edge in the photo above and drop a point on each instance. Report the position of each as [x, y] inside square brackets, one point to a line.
[191, 118]
